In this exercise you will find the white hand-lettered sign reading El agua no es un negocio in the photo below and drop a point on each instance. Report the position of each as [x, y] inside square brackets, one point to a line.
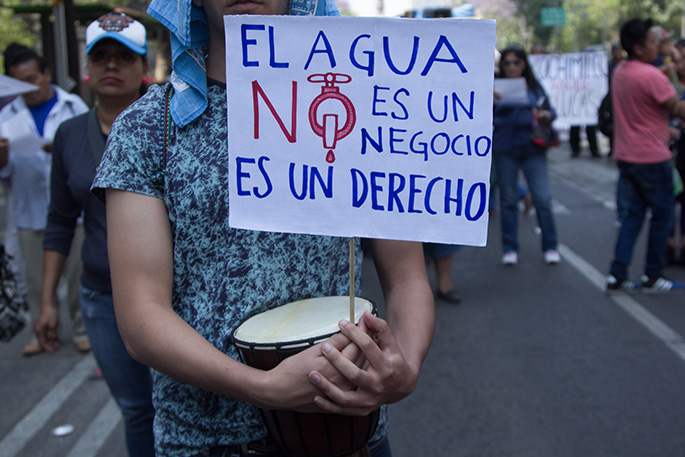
[369, 127]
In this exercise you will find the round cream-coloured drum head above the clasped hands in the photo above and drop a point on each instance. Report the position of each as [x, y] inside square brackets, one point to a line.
[305, 320]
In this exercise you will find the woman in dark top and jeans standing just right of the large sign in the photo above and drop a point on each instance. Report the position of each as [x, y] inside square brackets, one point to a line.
[514, 151]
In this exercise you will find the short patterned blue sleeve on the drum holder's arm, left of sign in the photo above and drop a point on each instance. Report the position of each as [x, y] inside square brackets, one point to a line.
[134, 153]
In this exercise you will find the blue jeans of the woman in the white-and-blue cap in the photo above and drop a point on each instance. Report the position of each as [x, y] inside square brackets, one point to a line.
[129, 381]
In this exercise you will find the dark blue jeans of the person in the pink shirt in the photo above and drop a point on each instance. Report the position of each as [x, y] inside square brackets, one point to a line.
[645, 186]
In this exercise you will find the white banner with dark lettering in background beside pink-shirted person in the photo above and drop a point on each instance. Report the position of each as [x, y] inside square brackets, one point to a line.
[576, 84]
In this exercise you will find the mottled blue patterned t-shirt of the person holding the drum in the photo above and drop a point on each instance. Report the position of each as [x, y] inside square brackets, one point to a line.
[222, 275]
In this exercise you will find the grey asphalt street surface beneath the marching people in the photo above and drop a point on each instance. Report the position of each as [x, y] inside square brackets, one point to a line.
[537, 361]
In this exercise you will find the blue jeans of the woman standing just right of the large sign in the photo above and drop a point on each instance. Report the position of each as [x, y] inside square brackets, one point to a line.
[532, 160]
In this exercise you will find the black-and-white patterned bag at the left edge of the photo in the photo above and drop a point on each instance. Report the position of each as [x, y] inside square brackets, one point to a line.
[13, 307]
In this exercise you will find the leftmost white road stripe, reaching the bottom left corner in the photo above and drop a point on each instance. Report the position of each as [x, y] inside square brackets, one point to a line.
[31, 423]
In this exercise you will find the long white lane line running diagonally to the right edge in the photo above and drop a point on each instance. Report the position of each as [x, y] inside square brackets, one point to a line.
[656, 327]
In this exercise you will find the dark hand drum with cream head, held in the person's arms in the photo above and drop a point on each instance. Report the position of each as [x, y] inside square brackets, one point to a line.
[267, 338]
